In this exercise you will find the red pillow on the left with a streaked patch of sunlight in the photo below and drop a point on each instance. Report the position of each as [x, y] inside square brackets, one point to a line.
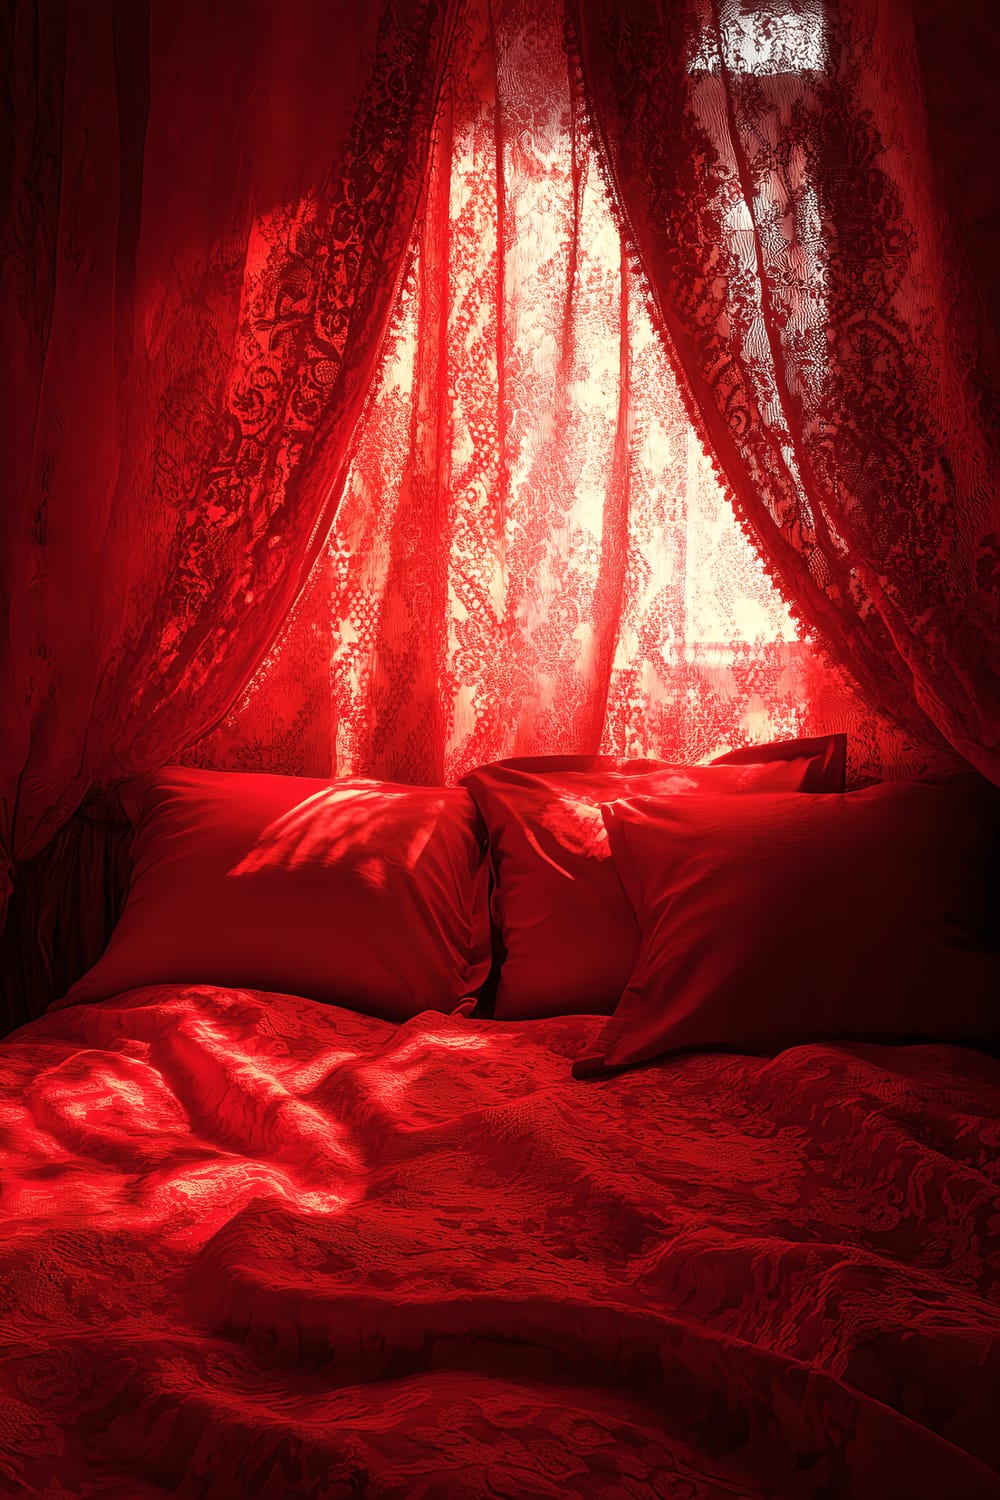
[362, 893]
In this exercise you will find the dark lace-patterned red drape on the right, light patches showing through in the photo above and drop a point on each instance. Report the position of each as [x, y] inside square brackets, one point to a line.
[794, 184]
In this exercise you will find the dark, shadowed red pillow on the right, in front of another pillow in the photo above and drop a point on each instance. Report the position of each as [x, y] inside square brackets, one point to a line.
[776, 920]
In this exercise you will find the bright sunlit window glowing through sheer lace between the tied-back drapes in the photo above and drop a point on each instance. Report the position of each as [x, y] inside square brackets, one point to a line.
[533, 553]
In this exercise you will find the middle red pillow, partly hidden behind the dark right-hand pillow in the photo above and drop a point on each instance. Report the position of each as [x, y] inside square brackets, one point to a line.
[567, 934]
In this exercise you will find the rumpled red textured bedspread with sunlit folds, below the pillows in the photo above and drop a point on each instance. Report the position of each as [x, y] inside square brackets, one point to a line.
[262, 1247]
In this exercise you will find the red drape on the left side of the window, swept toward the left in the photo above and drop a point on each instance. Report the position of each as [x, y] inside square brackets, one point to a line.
[208, 215]
